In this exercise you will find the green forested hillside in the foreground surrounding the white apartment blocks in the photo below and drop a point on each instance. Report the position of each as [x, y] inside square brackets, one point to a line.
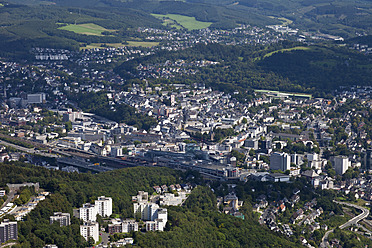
[197, 224]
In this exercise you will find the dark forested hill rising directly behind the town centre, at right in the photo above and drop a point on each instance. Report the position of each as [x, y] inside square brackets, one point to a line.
[284, 66]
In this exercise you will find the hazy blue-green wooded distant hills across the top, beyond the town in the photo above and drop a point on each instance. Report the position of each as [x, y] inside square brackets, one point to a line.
[28, 23]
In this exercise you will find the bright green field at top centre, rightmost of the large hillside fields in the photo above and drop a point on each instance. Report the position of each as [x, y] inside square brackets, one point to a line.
[187, 22]
